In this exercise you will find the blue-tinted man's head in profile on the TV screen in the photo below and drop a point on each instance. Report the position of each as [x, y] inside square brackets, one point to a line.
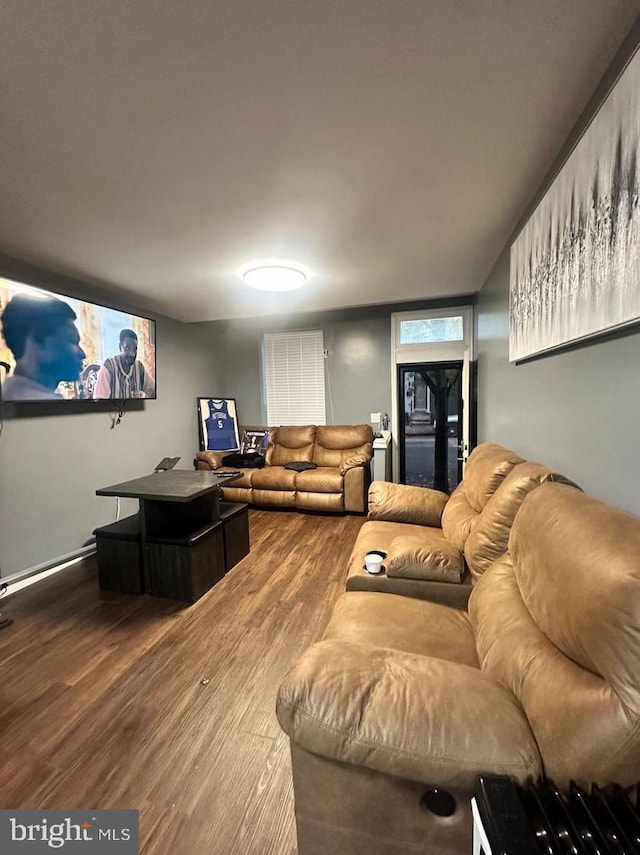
[45, 342]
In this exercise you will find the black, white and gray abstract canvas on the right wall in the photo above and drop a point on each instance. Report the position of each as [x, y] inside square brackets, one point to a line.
[575, 266]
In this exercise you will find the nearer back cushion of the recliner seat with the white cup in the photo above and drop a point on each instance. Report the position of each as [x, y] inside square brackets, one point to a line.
[489, 535]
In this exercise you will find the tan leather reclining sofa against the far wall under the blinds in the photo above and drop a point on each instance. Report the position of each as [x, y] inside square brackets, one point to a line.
[338, 483]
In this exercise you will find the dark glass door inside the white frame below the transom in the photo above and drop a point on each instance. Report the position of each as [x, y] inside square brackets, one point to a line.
[430, 435]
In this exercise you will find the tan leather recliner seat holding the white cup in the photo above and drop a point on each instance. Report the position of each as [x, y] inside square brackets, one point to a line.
[436, 547]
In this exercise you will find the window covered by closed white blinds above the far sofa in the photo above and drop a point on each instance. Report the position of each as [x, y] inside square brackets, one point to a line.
[293, 372]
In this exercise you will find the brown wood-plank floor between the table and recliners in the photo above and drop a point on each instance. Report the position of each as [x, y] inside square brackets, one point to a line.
[105, 704]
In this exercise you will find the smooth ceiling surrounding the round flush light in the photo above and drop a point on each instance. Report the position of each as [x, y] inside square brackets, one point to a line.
[156, 146]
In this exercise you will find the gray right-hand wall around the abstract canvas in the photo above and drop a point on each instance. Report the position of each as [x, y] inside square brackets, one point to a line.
[577, 410]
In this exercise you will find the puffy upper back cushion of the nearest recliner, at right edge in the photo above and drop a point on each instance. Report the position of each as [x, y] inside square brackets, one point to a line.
[594, 617]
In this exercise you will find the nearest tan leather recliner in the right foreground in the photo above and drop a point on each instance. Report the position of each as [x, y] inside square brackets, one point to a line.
[538, 676]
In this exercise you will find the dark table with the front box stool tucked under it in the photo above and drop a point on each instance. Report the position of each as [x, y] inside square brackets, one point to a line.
[179, 516]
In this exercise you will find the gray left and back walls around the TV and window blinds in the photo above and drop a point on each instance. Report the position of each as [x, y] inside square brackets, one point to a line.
[53, 462]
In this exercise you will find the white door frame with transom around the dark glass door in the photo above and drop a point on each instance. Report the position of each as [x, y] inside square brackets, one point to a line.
[441, 351]
